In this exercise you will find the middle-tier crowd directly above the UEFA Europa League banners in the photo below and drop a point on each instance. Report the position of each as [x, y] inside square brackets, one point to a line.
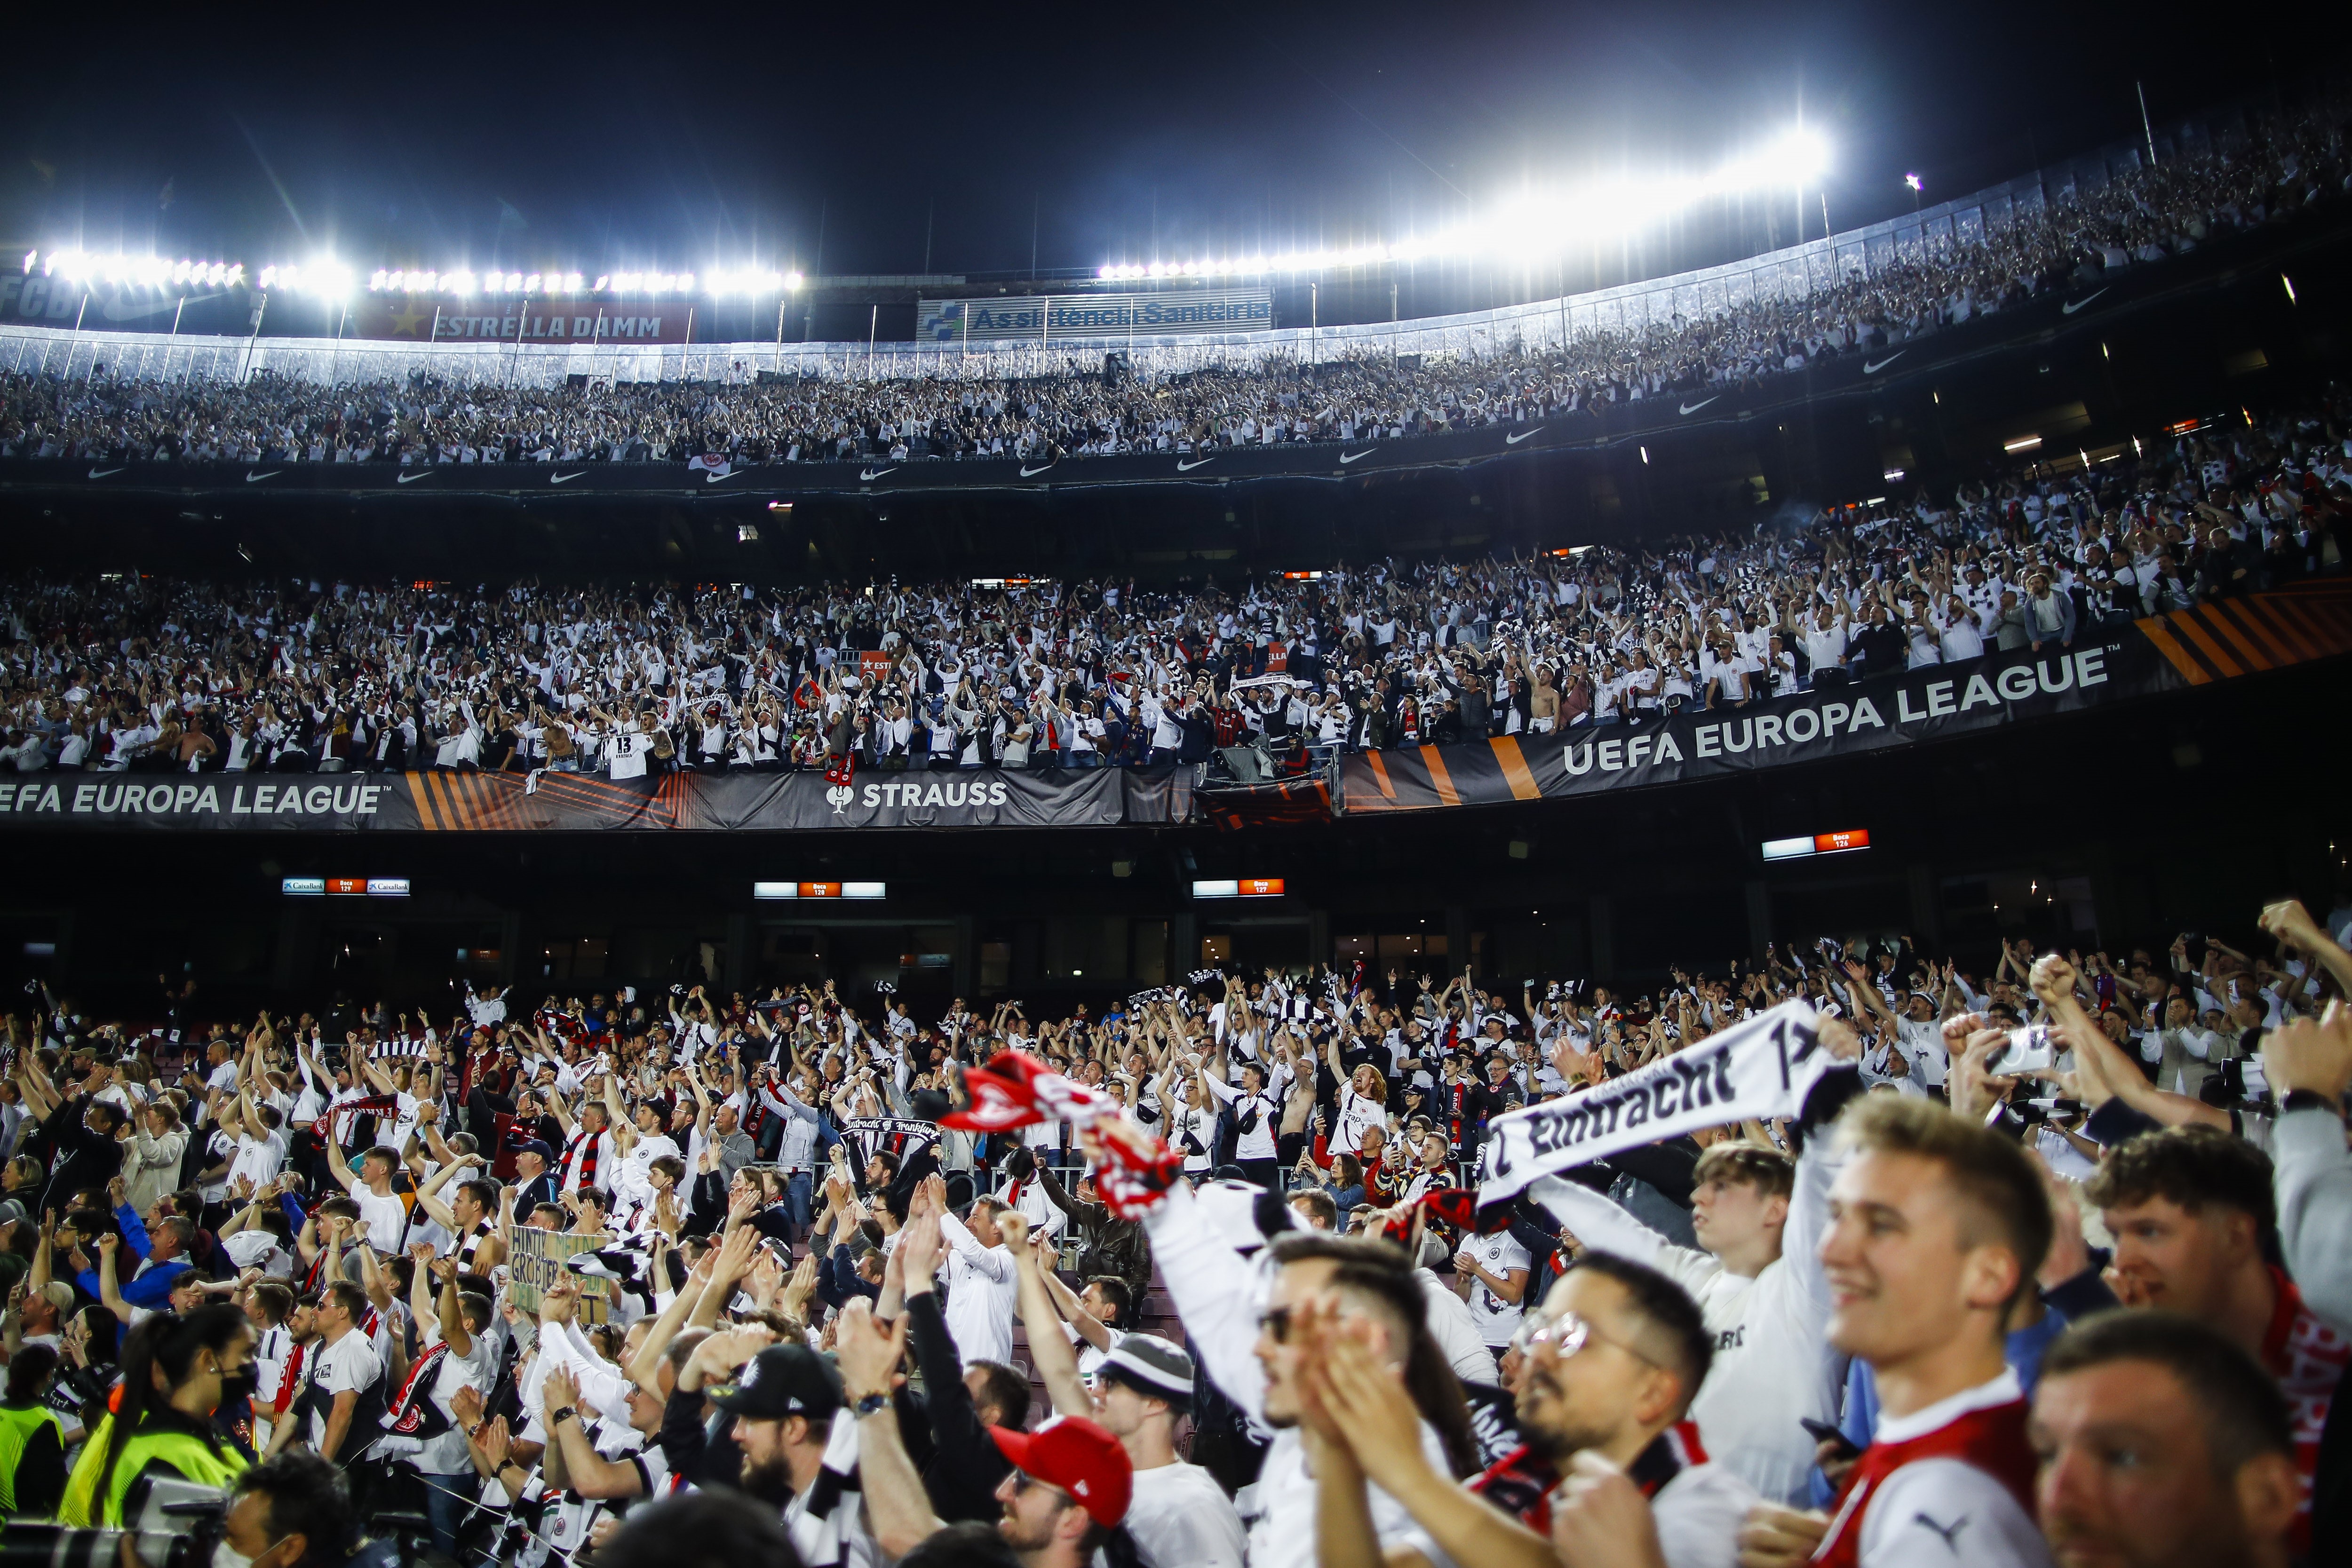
[1269, 674]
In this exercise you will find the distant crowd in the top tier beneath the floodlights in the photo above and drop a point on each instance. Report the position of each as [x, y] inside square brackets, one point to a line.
[2078, 241]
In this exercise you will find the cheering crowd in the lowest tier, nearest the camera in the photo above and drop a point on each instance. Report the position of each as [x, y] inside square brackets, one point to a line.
[2047, 1266]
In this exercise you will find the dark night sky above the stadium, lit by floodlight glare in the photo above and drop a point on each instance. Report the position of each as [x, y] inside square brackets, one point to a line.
[681, 138]
